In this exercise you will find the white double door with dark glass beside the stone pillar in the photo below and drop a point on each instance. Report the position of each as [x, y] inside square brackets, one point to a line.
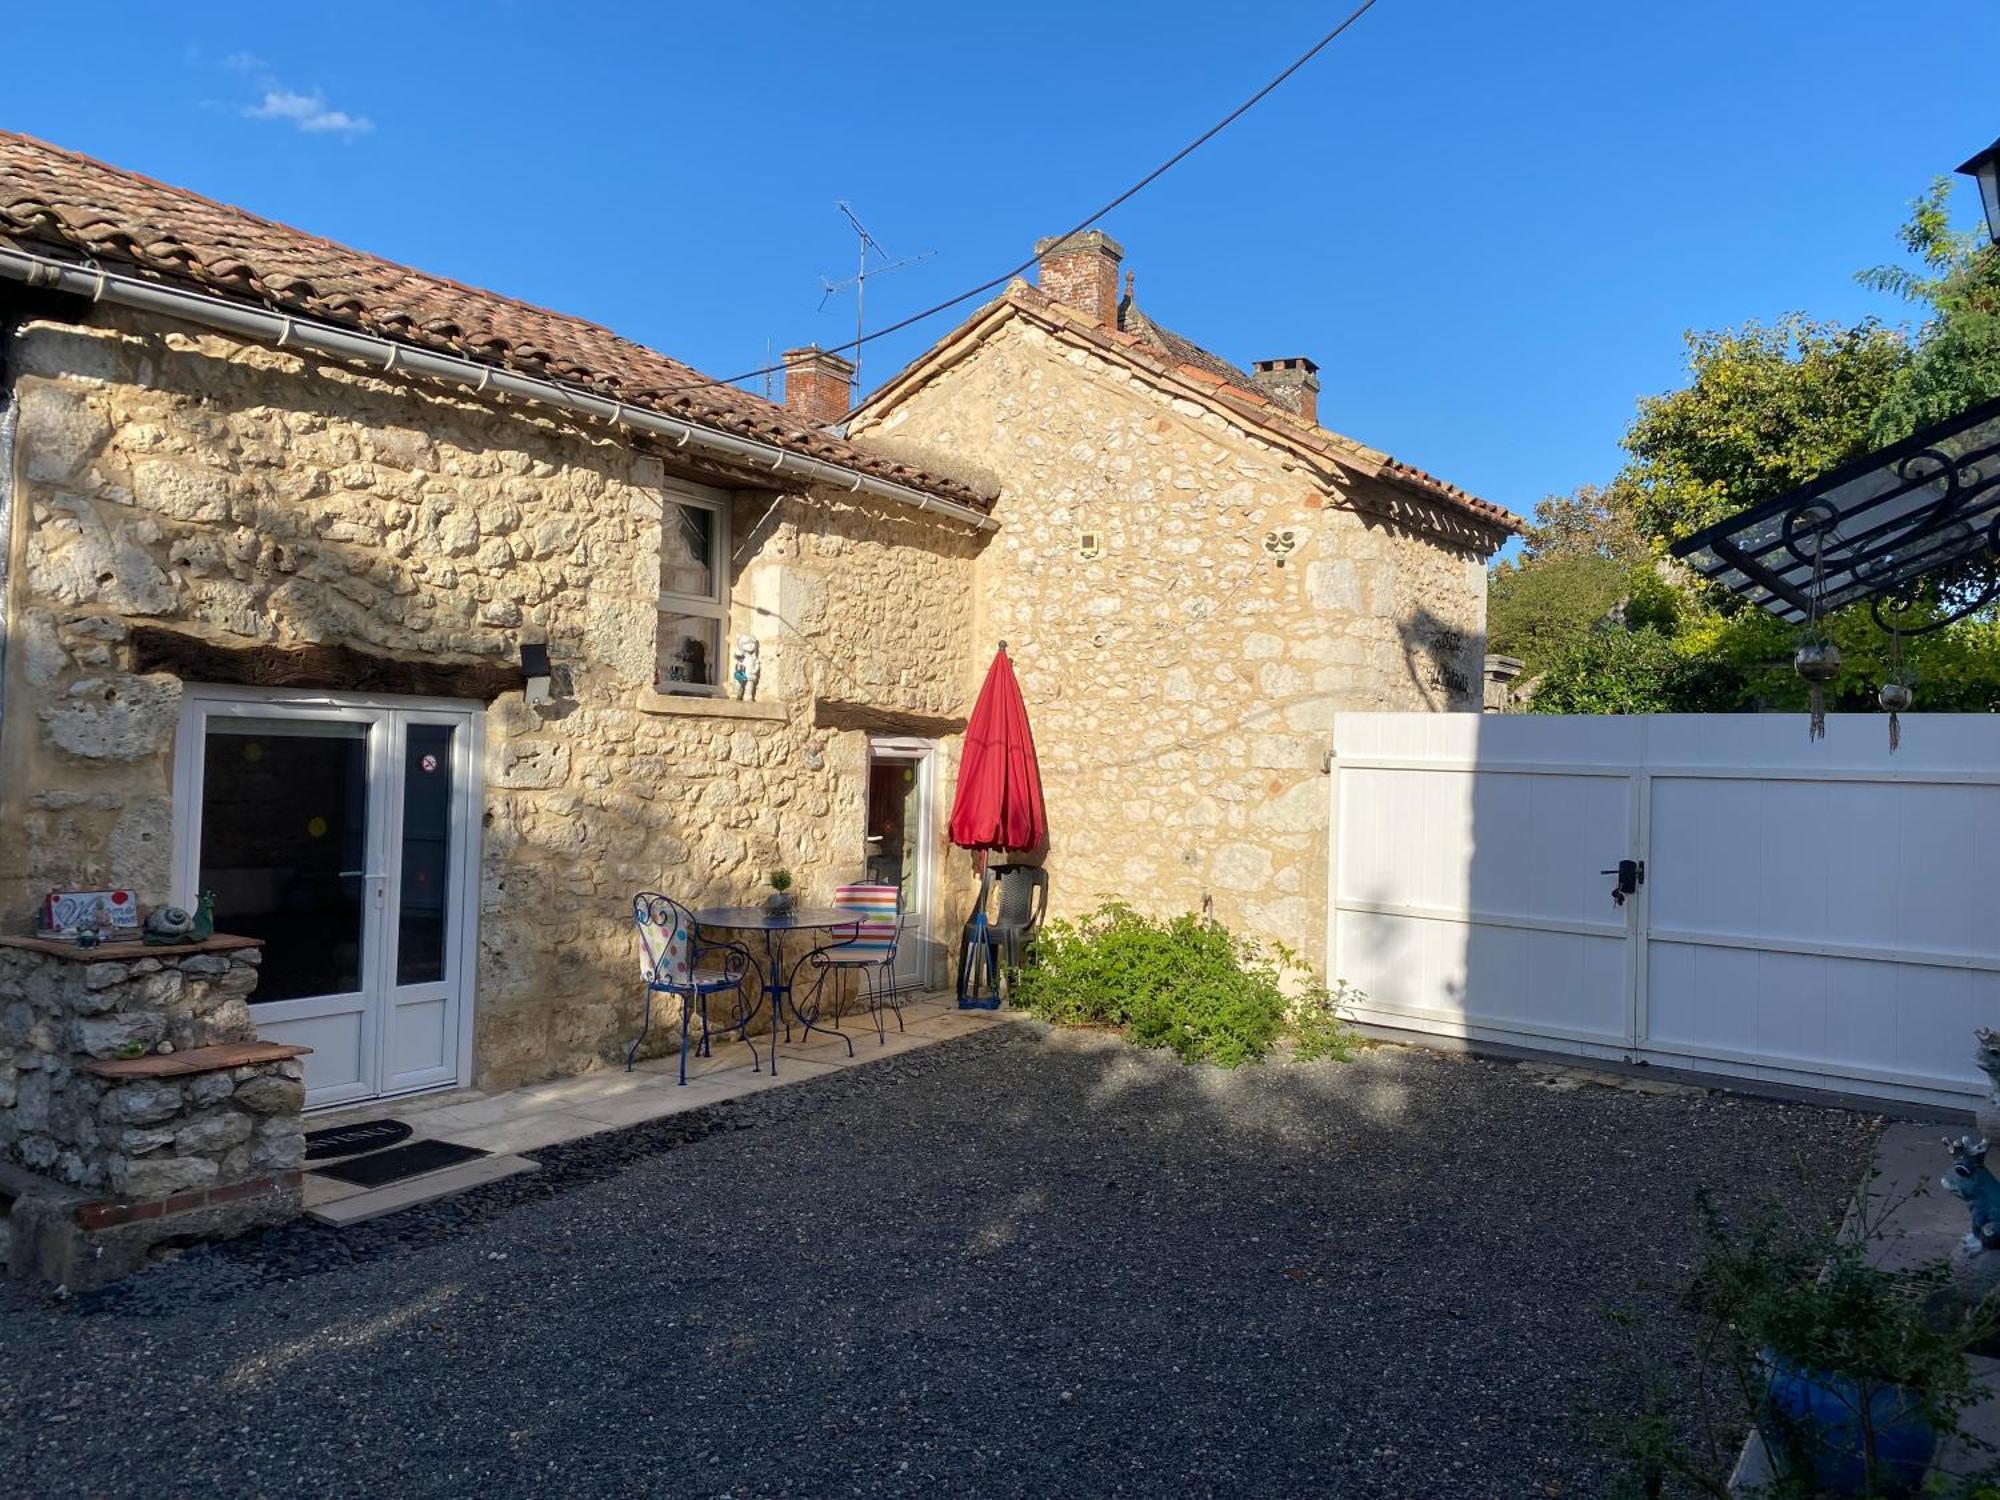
[343, 833]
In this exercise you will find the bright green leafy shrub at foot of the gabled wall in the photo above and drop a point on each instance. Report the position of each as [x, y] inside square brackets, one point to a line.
[1179, 983]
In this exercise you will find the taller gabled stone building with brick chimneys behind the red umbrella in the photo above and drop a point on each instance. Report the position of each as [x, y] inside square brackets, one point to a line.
[1195, 577]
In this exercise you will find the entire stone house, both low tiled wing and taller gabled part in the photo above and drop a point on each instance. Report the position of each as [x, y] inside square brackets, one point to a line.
[403, 617]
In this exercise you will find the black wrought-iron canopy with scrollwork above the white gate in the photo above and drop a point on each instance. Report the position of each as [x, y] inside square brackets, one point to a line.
[1913, 531]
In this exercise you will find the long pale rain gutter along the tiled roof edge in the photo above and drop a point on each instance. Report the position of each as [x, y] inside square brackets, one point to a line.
[287, 331]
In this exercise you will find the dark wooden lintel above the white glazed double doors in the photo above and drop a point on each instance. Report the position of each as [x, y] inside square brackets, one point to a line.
[333, 667]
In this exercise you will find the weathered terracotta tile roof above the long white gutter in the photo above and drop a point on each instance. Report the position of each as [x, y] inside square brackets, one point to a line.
[57, 199]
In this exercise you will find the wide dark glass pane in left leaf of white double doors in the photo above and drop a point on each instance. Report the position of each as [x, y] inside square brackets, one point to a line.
[285, 849]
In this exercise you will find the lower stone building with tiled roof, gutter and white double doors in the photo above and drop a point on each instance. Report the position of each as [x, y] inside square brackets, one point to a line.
[287, 535]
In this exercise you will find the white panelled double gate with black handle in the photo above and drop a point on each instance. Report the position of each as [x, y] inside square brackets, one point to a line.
[1811, 913]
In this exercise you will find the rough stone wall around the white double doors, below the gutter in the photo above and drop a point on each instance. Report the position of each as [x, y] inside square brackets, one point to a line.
[261, 499]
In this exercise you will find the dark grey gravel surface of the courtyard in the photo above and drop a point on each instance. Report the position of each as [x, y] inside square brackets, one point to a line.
[1015, 1265]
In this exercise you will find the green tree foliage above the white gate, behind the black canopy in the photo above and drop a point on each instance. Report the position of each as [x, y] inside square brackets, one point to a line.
[1607, 625]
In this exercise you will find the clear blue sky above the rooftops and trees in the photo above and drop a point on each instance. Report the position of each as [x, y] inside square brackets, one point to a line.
[1489, 223]
